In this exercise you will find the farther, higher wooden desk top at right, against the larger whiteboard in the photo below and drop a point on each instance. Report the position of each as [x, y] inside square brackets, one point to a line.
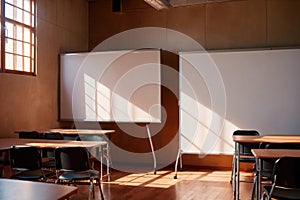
[267, 138]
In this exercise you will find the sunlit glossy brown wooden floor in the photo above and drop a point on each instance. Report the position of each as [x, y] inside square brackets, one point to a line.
[191, 184]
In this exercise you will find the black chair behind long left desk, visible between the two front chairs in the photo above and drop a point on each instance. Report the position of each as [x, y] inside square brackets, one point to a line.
[49, 153]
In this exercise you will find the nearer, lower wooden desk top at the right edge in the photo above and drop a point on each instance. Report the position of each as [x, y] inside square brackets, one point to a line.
[275, 153]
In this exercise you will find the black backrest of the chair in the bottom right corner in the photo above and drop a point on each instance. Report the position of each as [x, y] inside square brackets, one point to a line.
[287, 172]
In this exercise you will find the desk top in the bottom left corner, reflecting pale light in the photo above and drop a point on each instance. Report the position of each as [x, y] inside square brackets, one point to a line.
[17, 189]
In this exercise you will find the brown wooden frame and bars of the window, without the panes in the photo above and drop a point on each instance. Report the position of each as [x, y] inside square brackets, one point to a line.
[33, 40]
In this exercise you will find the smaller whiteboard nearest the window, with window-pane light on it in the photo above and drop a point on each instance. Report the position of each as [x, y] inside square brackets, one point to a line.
[119, 86]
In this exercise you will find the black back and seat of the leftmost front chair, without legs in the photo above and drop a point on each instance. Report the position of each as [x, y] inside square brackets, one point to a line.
[27, 163]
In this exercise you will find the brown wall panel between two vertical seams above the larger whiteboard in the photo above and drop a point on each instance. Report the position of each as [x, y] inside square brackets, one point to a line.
[237, 24]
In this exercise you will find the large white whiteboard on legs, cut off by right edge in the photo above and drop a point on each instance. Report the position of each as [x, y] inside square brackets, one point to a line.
[262, 90]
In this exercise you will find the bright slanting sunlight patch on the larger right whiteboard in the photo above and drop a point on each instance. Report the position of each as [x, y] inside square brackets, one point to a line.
[198, 134]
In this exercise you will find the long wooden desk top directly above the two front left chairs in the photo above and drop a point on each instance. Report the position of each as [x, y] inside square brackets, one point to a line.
[6, 143]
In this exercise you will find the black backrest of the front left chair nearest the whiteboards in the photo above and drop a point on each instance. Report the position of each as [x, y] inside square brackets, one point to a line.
[71, 158]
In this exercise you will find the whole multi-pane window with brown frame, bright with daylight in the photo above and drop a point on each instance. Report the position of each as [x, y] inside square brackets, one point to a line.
[18, 43]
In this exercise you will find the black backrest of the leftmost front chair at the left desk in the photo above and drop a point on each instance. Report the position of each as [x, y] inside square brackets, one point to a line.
[25, 157]
